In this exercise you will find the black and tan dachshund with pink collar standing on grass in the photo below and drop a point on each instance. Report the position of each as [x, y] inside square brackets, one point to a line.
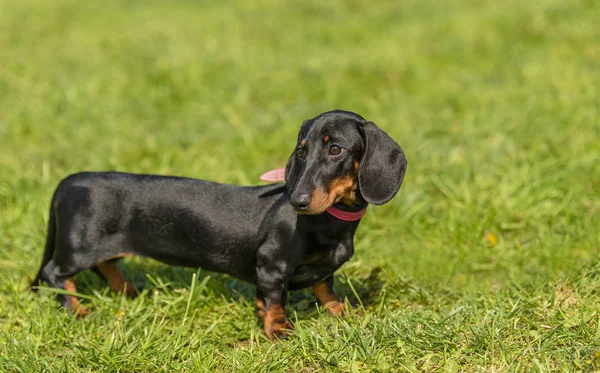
[280, 237]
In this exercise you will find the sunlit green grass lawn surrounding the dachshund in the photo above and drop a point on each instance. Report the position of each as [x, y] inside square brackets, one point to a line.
[487, 260]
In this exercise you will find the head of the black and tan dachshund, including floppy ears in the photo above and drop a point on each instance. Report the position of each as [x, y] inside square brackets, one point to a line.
[341, 157]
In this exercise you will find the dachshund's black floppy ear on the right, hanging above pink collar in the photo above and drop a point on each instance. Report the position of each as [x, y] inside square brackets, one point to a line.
[382, 167]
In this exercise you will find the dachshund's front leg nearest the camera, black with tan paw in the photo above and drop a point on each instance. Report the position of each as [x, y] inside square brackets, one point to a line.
[271, 293]
